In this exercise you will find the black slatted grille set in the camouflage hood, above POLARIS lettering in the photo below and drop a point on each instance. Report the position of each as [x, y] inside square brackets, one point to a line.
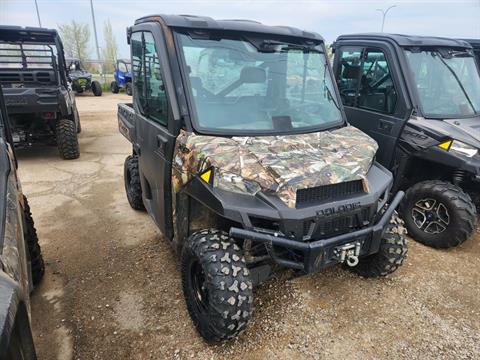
[325, 193]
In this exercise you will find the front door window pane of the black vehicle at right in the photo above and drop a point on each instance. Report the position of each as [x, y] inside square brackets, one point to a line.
[377, 91]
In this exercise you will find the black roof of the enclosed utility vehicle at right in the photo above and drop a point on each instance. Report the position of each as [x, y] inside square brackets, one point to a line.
[409, 40]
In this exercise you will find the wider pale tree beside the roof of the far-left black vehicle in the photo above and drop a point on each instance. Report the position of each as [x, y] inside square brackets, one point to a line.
[75, 38]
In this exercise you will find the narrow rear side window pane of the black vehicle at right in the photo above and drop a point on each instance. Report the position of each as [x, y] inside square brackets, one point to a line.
[348, 75]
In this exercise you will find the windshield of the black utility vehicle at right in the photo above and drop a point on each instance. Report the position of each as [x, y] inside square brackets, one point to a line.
[447, 82]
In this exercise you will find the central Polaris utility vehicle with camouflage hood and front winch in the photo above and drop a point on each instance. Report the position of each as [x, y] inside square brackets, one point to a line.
[243, 158]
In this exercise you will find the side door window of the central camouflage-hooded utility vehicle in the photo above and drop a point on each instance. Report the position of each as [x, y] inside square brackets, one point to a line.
[147, 77]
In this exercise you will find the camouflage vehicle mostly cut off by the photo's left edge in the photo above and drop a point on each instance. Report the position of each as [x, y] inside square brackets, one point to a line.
[21, 262]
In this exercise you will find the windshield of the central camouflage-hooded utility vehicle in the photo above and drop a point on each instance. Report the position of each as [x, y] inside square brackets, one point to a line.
[241, 86]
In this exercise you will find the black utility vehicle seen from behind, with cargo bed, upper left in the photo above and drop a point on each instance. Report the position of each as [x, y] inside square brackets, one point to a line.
[34, 78]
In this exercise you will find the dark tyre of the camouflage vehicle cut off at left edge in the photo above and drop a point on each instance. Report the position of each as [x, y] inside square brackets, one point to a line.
[34, 251]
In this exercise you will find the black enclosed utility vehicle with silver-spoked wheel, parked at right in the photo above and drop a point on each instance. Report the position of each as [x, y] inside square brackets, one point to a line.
[419, 98]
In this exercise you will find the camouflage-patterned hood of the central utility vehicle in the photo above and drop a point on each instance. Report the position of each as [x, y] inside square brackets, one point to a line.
[276, 164]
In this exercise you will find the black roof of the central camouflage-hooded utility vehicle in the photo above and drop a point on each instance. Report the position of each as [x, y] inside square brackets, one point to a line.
[203, 22]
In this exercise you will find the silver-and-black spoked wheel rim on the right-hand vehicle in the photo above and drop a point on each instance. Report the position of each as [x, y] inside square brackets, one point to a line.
[431, 216]
